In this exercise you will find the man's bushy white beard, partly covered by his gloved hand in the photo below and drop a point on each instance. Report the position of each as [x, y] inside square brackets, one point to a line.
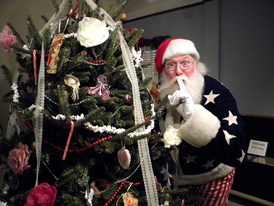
[194, 84]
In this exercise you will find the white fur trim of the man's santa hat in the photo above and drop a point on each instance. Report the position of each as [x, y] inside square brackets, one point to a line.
[180, 46]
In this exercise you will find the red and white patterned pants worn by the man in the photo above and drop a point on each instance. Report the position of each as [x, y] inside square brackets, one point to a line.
[213, 193]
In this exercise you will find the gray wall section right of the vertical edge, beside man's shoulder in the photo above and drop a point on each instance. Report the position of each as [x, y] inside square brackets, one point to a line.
[247, 53]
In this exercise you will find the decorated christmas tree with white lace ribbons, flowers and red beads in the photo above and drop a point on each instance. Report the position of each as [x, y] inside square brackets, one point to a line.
[90, 115]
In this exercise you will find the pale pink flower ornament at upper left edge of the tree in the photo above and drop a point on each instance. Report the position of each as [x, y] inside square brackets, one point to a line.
[7, 39]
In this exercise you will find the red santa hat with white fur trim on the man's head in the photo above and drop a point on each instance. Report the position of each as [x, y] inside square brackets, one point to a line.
[172, 47]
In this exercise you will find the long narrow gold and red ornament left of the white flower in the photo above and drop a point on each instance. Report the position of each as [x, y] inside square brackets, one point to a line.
[53, 57]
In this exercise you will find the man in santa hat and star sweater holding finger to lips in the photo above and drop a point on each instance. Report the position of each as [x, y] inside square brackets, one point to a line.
[204, 115]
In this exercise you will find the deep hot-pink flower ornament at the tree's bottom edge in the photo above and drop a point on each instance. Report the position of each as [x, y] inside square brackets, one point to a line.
[42, 195]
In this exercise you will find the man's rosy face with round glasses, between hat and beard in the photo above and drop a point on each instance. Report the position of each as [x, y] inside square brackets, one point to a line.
[180, 65]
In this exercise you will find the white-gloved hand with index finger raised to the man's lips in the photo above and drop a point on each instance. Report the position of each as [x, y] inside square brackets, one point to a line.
[182, 101]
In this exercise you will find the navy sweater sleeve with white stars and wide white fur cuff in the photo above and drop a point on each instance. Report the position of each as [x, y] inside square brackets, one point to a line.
[217, 125]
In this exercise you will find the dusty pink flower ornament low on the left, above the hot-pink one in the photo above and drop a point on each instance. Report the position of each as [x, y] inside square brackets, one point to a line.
[18, 158]
